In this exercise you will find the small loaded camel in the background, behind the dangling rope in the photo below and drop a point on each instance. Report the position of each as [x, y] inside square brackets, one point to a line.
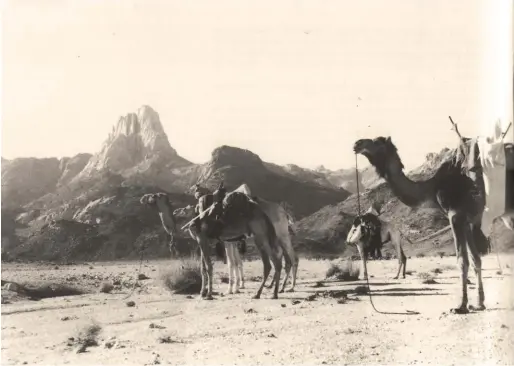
[368, 232]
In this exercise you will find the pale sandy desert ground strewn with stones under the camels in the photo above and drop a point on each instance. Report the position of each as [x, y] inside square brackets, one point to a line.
[235, 329]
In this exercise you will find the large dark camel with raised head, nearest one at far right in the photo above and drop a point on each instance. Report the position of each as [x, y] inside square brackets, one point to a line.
[454, 189]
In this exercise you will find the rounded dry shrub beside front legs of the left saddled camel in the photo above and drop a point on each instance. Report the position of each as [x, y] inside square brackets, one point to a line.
[183, 278]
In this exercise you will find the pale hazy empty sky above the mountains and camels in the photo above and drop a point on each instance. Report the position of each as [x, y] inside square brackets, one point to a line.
[293, 81]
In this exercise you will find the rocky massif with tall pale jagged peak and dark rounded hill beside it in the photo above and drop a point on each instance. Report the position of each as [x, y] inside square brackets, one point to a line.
[87, 207]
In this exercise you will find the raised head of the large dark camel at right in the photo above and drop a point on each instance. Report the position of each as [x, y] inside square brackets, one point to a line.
[379, 151]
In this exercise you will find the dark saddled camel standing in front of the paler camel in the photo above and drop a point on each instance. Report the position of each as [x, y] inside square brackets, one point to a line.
[239, 216]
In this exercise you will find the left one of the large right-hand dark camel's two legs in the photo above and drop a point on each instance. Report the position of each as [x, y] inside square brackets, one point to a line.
[459, 227]
